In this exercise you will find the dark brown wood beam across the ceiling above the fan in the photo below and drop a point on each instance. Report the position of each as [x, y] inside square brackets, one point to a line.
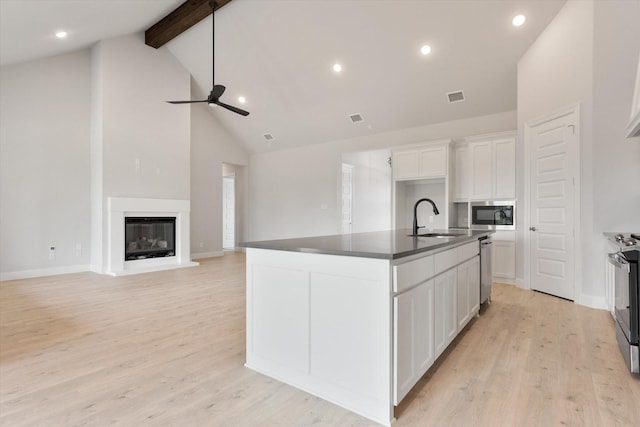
[180, 20]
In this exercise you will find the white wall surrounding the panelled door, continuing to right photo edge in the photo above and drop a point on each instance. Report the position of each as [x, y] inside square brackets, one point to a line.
[587, 55]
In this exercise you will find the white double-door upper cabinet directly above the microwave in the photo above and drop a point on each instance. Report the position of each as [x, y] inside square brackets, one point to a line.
[485, 167]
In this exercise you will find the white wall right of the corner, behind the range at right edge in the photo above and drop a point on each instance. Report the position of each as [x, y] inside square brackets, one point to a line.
[615, 163]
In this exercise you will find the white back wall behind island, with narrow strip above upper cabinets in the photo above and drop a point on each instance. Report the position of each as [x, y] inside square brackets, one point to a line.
[295, 192]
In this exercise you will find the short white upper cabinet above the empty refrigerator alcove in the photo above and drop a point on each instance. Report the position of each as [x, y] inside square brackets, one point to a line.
[419, 162]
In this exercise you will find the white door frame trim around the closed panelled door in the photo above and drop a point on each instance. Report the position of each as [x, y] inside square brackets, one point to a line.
[571, 109]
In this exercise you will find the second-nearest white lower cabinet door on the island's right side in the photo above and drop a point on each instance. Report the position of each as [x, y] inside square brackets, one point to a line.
[445, 311]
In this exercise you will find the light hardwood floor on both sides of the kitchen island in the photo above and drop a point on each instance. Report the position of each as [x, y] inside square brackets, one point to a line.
[167, 349]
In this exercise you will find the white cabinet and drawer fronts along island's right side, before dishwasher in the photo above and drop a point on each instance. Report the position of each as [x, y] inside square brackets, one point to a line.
[428, 315]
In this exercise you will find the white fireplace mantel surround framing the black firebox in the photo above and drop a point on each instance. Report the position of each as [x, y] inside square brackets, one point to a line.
[121, 207]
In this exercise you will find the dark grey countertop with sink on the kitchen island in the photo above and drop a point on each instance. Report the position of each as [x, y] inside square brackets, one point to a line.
[391, 244]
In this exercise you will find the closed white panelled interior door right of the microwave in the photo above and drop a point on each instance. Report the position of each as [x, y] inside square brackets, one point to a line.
[553, 166]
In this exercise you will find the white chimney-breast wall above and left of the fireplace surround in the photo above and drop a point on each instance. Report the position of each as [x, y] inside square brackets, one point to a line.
[140, 144]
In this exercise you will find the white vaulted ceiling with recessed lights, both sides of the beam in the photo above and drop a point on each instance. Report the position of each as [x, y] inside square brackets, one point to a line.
[279, 54]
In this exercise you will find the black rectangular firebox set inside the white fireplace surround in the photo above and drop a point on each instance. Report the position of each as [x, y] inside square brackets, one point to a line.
[149, 237]
